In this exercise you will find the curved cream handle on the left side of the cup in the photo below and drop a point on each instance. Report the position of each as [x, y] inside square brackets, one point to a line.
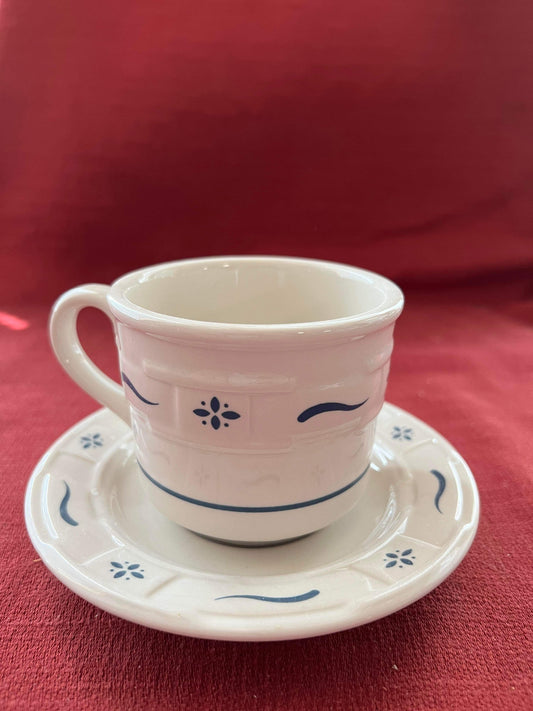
[69, 351]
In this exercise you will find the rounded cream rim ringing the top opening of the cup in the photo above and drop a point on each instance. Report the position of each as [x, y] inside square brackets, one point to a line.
[178, 327]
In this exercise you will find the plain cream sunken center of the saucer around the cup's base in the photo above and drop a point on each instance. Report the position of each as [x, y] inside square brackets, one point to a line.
[140, 525]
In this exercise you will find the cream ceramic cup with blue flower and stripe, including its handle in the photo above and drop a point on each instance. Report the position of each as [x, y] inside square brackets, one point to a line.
[252, 386]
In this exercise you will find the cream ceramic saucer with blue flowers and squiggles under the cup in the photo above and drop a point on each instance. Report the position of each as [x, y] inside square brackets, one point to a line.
[92, 526]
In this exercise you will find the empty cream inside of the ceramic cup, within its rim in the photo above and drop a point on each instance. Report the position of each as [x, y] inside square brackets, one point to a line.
[258, 291]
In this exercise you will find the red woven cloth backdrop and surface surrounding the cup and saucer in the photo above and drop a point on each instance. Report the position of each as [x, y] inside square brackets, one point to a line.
[393, 136]
